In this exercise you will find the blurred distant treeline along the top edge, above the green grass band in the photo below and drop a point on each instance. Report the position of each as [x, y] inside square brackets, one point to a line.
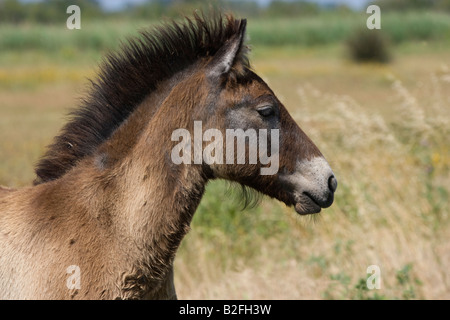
[54, 11]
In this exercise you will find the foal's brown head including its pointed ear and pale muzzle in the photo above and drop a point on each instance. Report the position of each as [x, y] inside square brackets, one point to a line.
[247, 135]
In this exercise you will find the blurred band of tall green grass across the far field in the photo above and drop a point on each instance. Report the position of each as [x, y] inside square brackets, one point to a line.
[322, 29]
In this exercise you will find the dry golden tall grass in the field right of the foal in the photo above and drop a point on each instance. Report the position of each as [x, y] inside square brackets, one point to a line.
[392, 203]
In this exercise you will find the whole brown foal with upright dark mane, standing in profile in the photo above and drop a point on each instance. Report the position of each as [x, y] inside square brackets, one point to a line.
[110, 202]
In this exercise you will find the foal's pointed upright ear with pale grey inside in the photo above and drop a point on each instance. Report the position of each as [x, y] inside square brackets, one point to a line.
[225, 57]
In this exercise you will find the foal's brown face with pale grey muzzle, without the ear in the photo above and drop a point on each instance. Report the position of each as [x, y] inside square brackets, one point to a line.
[276, 157]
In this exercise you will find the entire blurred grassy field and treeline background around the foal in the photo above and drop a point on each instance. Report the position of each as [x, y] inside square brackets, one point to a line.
[376, 103]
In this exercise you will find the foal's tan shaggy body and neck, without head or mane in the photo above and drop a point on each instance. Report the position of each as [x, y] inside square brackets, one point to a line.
[121, 234]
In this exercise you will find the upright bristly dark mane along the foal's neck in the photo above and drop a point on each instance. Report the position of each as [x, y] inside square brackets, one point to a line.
[126, 78]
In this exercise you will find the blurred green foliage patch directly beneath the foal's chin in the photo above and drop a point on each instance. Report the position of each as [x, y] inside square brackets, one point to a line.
[220, 218]
